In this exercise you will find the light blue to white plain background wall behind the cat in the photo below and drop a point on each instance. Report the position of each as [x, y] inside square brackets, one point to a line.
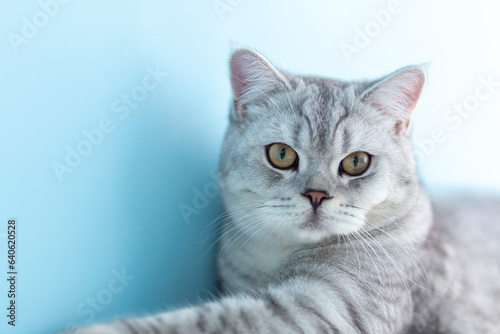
[119, 209]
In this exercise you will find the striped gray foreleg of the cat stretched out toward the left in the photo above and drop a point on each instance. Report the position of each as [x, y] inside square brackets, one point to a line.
[300, 305]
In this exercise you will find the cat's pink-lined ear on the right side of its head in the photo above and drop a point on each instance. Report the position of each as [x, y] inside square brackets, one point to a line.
[396, 95]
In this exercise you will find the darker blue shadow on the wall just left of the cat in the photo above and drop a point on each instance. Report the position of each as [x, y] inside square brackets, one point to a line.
[168, 201]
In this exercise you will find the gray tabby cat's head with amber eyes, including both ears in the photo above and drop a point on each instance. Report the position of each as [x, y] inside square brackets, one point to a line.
[311, 158]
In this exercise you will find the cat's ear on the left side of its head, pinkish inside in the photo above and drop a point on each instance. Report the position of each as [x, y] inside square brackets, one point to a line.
[253, 78]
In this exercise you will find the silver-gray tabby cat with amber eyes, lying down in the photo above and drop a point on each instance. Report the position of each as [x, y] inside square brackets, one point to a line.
[328, 228]
